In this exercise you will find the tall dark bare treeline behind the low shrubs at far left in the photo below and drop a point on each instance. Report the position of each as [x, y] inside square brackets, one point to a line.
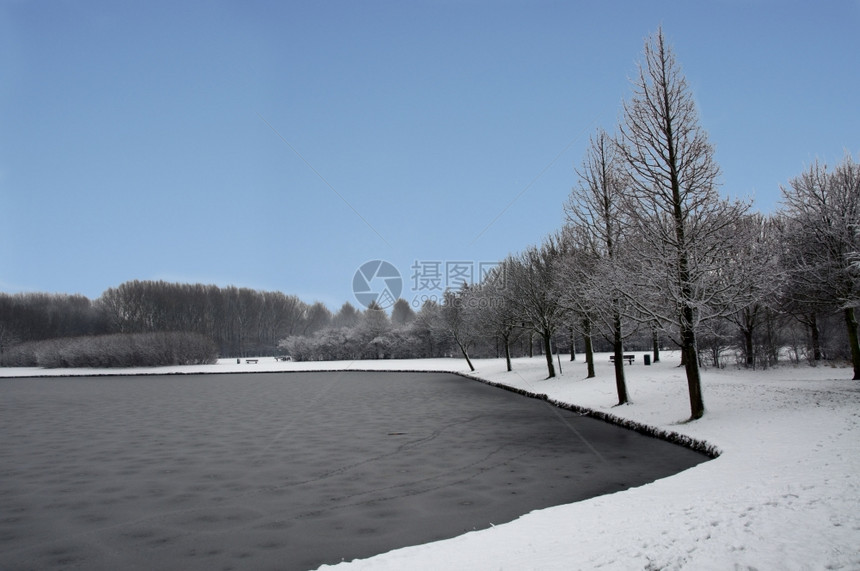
[239, 321]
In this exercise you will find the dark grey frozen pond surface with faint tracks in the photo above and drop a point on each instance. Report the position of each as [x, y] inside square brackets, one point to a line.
[286, 470]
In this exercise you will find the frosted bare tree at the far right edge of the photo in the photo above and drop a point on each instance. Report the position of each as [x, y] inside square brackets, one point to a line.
[823, 212]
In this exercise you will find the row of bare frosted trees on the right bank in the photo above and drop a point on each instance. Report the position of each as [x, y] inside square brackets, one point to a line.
[650, 244]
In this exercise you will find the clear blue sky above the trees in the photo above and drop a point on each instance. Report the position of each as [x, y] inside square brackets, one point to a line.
[280, 145]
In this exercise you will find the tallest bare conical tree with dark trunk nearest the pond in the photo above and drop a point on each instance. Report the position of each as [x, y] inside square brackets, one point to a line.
[674, 205]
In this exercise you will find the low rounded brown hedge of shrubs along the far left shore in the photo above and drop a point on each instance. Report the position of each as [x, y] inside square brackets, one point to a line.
[116, 350]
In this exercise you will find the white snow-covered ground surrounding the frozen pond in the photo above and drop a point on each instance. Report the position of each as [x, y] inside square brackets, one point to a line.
[783, 494]
